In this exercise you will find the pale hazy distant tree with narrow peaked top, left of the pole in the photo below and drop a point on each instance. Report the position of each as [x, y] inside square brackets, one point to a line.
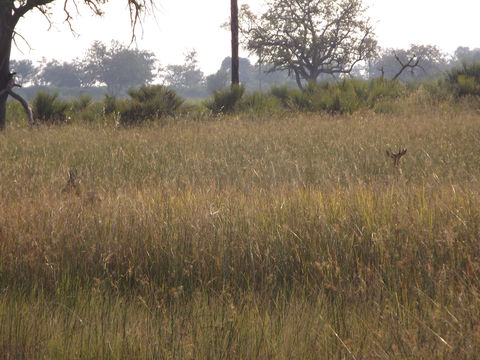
[186, 79]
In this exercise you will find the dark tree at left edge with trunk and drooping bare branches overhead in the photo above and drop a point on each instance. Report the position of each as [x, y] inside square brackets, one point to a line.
[11, 11]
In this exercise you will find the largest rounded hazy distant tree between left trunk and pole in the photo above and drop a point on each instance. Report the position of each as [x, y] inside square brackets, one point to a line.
[117, 67]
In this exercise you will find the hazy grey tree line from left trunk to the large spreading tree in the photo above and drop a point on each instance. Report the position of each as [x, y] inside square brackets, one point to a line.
[117, 68]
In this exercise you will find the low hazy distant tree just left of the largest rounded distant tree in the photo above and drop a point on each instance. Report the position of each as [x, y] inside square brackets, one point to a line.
[66, 74]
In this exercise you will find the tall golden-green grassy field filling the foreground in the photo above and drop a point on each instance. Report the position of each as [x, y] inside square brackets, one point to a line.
[243, 237]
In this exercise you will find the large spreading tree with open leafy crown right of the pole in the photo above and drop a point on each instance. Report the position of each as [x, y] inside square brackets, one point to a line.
[309, 37]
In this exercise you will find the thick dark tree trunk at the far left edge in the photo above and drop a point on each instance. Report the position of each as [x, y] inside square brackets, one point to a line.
[6, 28]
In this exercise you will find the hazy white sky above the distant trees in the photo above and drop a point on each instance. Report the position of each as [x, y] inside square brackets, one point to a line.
[181, 25]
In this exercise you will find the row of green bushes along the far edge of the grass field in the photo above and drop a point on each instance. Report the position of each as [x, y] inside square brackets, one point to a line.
[153, 103]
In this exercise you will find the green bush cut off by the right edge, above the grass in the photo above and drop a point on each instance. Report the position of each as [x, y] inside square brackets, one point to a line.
[465, 80]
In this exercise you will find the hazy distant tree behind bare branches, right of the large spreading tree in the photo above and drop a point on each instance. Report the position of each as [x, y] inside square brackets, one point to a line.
[416, 63]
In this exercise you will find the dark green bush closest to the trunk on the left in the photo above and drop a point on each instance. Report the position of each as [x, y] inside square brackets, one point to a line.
[47, 108]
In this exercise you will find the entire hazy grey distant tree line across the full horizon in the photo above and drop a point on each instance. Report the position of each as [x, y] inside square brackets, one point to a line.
[116, 68]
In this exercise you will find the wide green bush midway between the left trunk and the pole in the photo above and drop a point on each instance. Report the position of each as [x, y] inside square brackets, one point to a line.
[149, 103]
